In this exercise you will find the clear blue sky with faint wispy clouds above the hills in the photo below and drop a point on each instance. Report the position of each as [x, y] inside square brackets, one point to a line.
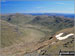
[37, 7]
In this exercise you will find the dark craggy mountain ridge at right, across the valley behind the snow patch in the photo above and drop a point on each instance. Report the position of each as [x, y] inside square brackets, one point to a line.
[55, 23]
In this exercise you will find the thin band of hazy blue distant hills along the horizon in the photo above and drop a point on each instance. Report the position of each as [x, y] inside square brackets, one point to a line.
[52, 14]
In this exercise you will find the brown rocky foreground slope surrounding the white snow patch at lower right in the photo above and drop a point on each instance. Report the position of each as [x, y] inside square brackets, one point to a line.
[63, 45]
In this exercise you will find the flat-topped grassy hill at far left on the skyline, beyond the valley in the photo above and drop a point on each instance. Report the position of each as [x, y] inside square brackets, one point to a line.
[18, 19]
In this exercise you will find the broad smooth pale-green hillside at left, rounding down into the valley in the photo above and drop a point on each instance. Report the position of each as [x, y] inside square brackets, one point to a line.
[12, 34]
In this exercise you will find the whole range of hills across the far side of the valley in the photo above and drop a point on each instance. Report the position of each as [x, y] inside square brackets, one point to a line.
[47, 24]
